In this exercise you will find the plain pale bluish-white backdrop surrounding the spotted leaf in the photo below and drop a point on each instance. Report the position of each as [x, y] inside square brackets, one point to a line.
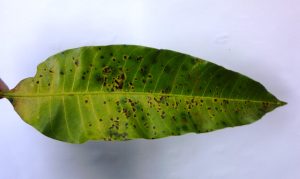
[258, 38]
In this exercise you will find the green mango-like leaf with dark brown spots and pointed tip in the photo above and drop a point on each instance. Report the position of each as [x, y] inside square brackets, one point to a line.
[123, 92]
